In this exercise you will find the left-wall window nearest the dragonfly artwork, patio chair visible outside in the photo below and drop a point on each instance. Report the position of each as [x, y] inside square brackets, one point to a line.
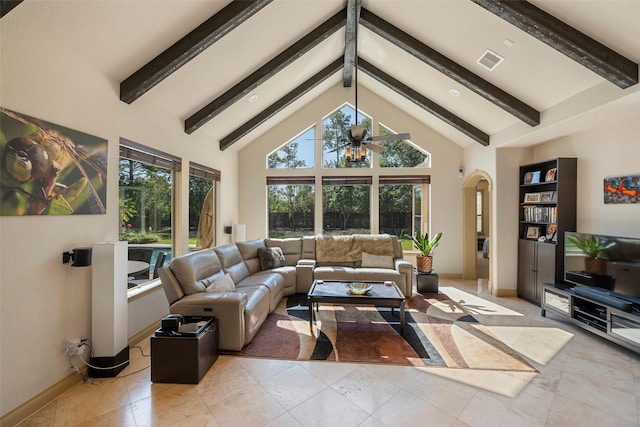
[146, 200]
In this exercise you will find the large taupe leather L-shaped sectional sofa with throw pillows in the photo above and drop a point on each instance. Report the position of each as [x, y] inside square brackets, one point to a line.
[191, 282]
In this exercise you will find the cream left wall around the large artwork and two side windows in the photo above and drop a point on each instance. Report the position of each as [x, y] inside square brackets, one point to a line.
[43, 301]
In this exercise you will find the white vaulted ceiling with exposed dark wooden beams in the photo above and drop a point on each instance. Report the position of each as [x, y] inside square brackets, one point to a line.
[567, 64]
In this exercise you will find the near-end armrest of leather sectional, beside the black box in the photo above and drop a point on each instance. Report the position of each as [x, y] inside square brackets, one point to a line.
[228, 307]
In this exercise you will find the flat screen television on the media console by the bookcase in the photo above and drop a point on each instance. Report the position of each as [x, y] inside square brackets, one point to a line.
[616, 268]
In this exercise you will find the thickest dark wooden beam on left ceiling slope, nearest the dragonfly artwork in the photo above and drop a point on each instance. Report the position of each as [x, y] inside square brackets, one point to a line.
[188, 47]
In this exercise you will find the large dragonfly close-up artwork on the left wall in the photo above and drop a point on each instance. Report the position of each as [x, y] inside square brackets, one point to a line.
[48, 169]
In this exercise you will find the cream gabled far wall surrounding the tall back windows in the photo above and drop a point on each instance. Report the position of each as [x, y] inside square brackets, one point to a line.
[446, 160]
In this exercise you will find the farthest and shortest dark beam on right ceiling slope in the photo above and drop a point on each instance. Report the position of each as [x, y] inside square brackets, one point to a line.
[420, 100]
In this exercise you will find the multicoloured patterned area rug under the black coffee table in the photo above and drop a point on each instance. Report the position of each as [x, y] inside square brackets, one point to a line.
[438, 332]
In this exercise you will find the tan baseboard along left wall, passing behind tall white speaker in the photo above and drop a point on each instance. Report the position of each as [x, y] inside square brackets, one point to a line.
[50, 394]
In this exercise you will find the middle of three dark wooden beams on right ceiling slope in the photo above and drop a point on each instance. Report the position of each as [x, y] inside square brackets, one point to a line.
[450, 68]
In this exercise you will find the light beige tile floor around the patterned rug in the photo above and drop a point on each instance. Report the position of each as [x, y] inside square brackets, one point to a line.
[582, 380]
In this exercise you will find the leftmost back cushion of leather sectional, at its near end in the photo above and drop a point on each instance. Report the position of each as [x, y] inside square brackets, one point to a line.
[196, 270]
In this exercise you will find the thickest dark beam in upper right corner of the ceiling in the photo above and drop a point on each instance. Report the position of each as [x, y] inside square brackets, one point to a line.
[564, 38]
